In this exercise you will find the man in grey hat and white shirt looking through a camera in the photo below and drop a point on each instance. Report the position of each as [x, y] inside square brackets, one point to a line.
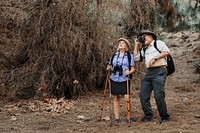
[155, 76]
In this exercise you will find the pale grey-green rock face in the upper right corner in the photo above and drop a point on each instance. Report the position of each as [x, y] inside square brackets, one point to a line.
[188, 14]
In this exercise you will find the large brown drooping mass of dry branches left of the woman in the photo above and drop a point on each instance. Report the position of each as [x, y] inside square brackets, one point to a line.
[49, 43]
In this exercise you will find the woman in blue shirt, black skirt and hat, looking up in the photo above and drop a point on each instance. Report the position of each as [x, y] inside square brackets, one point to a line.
[121, 65]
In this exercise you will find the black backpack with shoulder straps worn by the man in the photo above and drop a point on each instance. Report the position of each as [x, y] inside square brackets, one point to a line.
[169, 59]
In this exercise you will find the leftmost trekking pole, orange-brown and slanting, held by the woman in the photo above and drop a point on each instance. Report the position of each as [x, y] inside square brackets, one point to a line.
[104, 94]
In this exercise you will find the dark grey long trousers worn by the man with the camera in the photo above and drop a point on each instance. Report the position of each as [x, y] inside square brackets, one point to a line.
[154, 80]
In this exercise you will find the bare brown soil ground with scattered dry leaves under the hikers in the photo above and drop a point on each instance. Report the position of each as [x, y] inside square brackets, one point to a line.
[81, 115]
